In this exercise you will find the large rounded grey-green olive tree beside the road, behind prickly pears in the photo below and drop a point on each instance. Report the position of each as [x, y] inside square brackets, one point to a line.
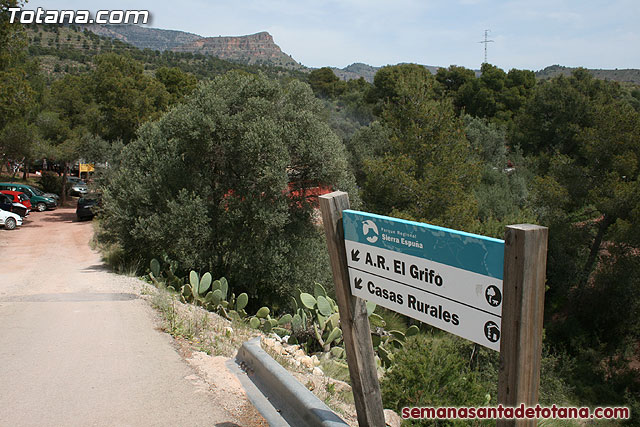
[223, 181]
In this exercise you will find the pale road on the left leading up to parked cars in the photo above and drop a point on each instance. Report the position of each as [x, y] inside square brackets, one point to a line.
[77, 345]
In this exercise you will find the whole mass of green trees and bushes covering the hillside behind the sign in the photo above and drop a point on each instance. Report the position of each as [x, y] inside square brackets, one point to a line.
[224, 159]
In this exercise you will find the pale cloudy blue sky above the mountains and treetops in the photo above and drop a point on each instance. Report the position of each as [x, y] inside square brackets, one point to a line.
[527, 34]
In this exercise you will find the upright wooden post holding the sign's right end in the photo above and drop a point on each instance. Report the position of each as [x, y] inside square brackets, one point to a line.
[525, 264]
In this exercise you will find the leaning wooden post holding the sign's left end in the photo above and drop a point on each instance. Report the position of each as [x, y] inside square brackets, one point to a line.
[353, 317]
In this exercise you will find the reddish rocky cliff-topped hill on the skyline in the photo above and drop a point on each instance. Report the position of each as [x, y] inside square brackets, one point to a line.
[253, 49]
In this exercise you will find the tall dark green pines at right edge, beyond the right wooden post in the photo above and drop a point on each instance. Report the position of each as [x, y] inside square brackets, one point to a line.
[586, 190]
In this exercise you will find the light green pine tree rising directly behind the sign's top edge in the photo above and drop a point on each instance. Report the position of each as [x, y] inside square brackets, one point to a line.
[427, 171]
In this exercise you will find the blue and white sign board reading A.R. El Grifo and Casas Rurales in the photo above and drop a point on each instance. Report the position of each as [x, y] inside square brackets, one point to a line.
[446, 278]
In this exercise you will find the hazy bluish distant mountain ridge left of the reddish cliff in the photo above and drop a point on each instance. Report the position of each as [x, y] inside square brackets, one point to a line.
[144, 37]
